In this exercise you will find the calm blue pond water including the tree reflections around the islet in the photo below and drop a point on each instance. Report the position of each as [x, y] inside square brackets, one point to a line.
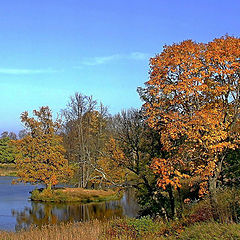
[17, 212]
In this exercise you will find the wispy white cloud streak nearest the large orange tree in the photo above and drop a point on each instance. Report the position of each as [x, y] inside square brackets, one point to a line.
[105, 59]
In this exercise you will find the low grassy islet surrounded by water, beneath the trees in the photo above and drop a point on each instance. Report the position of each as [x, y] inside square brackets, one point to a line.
[74, 195]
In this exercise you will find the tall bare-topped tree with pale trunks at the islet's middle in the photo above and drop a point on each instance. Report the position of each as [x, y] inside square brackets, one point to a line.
[85, 133]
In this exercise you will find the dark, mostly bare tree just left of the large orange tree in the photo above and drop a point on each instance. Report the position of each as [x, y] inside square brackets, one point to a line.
[129, 144]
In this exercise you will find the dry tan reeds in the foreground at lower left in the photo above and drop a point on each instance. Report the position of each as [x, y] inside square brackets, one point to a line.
[92, 230]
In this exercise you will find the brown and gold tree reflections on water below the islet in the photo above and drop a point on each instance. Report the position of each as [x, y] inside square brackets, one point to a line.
[39, 214]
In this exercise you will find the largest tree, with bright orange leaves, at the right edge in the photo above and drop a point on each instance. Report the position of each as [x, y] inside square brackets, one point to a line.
[192, 98]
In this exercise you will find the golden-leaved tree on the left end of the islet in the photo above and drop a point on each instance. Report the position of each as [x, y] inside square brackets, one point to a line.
[40, 157]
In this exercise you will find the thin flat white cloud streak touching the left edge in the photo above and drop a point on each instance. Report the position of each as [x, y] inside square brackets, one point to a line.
[20, 71]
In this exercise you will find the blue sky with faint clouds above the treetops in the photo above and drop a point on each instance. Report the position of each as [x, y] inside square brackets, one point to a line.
[50, 49]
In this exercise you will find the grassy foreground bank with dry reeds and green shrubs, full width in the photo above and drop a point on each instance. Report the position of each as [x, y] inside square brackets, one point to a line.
[128, 229]
